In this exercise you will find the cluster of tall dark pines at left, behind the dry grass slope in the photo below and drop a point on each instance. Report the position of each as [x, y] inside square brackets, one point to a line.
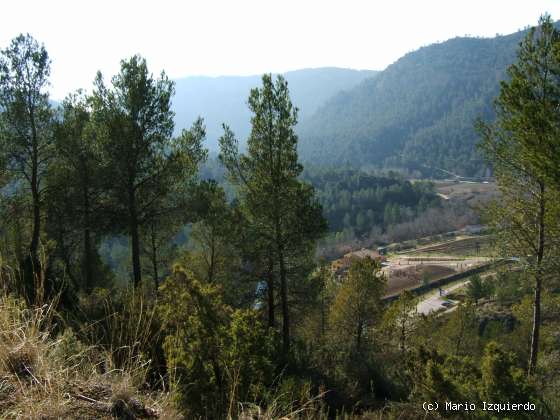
[100, 164]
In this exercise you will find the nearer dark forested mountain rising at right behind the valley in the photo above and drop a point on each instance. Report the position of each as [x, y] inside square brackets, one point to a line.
[418, 113]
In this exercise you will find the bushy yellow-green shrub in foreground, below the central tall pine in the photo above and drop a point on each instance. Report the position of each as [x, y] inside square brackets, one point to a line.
[215, 355]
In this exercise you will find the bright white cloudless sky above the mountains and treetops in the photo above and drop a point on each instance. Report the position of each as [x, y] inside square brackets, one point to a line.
[242, 37]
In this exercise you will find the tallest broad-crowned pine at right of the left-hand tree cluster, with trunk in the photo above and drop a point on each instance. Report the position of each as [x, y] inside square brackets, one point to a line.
[148, 168]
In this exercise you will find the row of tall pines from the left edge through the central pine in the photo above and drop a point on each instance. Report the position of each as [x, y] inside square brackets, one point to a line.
[107, 163]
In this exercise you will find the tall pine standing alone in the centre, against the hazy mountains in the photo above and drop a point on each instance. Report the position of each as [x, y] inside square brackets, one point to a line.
[283, 209]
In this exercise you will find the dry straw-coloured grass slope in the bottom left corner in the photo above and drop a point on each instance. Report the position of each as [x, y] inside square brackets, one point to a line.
[45, 377]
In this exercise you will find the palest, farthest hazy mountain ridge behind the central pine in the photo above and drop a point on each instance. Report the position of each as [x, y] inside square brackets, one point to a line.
[224, 99]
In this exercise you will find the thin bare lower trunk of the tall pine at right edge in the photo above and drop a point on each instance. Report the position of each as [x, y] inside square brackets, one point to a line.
[538, 284]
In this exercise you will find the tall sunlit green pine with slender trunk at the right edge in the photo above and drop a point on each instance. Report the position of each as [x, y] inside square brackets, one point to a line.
[518, 146]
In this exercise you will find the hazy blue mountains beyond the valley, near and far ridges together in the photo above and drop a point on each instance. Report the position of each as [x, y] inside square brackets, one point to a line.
[416, 115]
